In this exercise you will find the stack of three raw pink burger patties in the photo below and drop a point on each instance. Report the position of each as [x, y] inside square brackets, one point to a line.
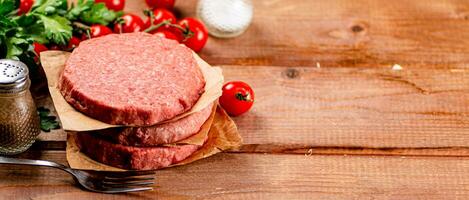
[137, 80]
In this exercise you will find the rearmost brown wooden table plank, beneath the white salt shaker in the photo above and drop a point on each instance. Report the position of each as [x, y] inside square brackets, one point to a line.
[343, 33]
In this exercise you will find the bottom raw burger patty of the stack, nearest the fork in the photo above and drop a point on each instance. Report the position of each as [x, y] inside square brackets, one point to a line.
[136, 158]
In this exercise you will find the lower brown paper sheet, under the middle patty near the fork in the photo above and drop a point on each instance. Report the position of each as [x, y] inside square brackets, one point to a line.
[223, 135]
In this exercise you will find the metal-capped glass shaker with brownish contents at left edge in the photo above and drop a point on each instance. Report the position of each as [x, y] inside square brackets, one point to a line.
[19, 121]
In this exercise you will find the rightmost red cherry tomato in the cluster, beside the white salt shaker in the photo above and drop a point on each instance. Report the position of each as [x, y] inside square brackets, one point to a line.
[200, 35]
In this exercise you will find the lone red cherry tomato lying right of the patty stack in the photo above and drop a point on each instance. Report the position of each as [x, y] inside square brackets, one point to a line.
[237, 98]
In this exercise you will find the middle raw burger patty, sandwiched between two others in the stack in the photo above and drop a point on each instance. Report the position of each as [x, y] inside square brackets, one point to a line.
[159, 134]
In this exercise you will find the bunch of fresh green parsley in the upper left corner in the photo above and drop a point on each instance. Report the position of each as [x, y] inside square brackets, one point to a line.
[48, 22]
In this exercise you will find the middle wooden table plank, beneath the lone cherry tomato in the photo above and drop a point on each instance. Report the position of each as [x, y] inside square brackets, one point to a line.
[346, 107]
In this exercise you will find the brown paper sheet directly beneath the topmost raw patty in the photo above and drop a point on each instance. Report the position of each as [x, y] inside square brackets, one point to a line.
[53, 63]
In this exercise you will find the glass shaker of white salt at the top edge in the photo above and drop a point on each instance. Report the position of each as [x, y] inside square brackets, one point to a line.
[225, 18]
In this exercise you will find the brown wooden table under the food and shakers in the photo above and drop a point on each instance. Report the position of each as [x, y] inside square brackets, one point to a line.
[332, 119]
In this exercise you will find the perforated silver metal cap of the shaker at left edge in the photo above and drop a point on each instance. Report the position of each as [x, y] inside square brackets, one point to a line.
[13, 76]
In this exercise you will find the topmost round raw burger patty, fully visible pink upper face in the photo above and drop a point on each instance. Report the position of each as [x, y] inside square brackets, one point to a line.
[131, 79]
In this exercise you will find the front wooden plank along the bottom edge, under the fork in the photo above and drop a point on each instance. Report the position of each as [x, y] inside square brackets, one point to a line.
[267, 176]
